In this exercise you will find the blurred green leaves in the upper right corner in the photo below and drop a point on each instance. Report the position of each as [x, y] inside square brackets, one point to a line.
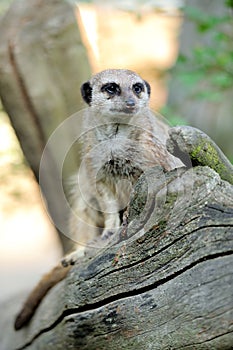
[208, 69]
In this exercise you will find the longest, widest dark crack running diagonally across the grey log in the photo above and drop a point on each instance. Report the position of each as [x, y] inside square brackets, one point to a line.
[124, 295]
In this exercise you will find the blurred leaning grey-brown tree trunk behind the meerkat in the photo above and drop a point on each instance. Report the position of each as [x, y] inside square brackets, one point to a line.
[43, 63]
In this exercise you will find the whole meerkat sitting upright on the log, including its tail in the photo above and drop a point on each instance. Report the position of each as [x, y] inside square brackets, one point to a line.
[121, 139]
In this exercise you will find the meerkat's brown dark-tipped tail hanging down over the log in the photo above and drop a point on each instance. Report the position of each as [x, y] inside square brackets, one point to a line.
[49, 280]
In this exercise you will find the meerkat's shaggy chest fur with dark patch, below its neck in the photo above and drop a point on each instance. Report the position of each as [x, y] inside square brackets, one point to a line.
[119, 152]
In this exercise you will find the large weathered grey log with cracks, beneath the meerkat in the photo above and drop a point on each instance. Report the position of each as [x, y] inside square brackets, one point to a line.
[165, 281]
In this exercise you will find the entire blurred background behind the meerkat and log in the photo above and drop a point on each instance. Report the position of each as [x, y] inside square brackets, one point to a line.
[47, 50]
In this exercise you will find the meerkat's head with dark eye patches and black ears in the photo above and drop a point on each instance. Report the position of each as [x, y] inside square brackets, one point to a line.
[116, 91]
